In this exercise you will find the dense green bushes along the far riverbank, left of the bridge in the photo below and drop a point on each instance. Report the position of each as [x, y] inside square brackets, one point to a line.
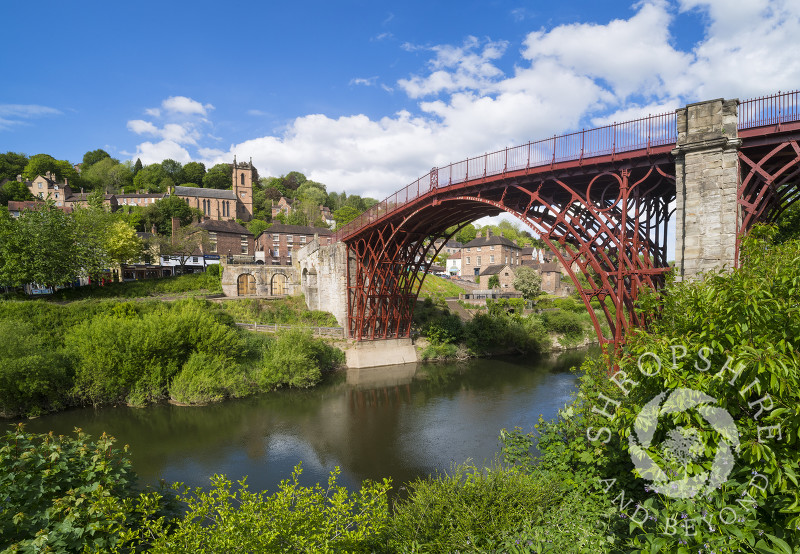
[105, 352]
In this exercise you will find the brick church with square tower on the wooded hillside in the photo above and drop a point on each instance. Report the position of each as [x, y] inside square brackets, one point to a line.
[220, 205]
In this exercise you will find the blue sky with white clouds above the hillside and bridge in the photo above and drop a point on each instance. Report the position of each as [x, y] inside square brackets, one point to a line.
[367, 96]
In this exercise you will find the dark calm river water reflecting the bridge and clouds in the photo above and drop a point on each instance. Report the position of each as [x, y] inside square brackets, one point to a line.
[401, 422]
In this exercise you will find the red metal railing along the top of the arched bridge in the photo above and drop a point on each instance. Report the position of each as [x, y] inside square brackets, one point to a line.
[618, 138]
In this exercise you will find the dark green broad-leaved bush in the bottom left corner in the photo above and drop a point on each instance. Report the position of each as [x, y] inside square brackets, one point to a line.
[62, 494]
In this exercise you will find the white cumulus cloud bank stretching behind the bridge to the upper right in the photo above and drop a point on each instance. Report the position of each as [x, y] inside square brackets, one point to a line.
[561, 79]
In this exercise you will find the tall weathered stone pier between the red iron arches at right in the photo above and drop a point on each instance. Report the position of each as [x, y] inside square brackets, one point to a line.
[707, 181]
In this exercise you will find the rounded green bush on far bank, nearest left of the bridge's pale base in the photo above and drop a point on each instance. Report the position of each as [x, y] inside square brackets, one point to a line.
[297, 360]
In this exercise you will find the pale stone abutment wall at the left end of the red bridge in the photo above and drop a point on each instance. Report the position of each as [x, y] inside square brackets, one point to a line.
[323, 277]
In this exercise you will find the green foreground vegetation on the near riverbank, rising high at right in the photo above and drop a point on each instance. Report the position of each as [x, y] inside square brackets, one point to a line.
[734, 337]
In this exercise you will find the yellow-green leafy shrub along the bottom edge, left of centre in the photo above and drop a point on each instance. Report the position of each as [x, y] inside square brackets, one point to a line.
[293, 519]
